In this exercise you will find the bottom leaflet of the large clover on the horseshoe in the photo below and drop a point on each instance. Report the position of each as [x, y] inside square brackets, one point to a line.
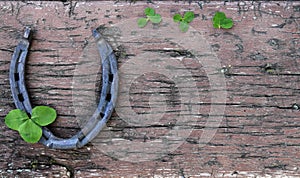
[30, 131]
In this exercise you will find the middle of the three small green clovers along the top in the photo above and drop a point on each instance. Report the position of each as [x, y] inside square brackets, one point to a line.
[184, 21]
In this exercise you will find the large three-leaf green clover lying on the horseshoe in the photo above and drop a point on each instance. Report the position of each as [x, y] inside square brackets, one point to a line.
[30, 128]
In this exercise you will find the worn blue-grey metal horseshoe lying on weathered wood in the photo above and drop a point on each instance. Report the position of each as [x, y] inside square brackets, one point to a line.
[102, 113]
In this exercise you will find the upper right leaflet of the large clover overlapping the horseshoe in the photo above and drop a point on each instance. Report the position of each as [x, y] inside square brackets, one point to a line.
[43, 115]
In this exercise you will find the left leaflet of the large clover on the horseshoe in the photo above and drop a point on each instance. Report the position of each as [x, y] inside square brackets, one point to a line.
[15, 118]
